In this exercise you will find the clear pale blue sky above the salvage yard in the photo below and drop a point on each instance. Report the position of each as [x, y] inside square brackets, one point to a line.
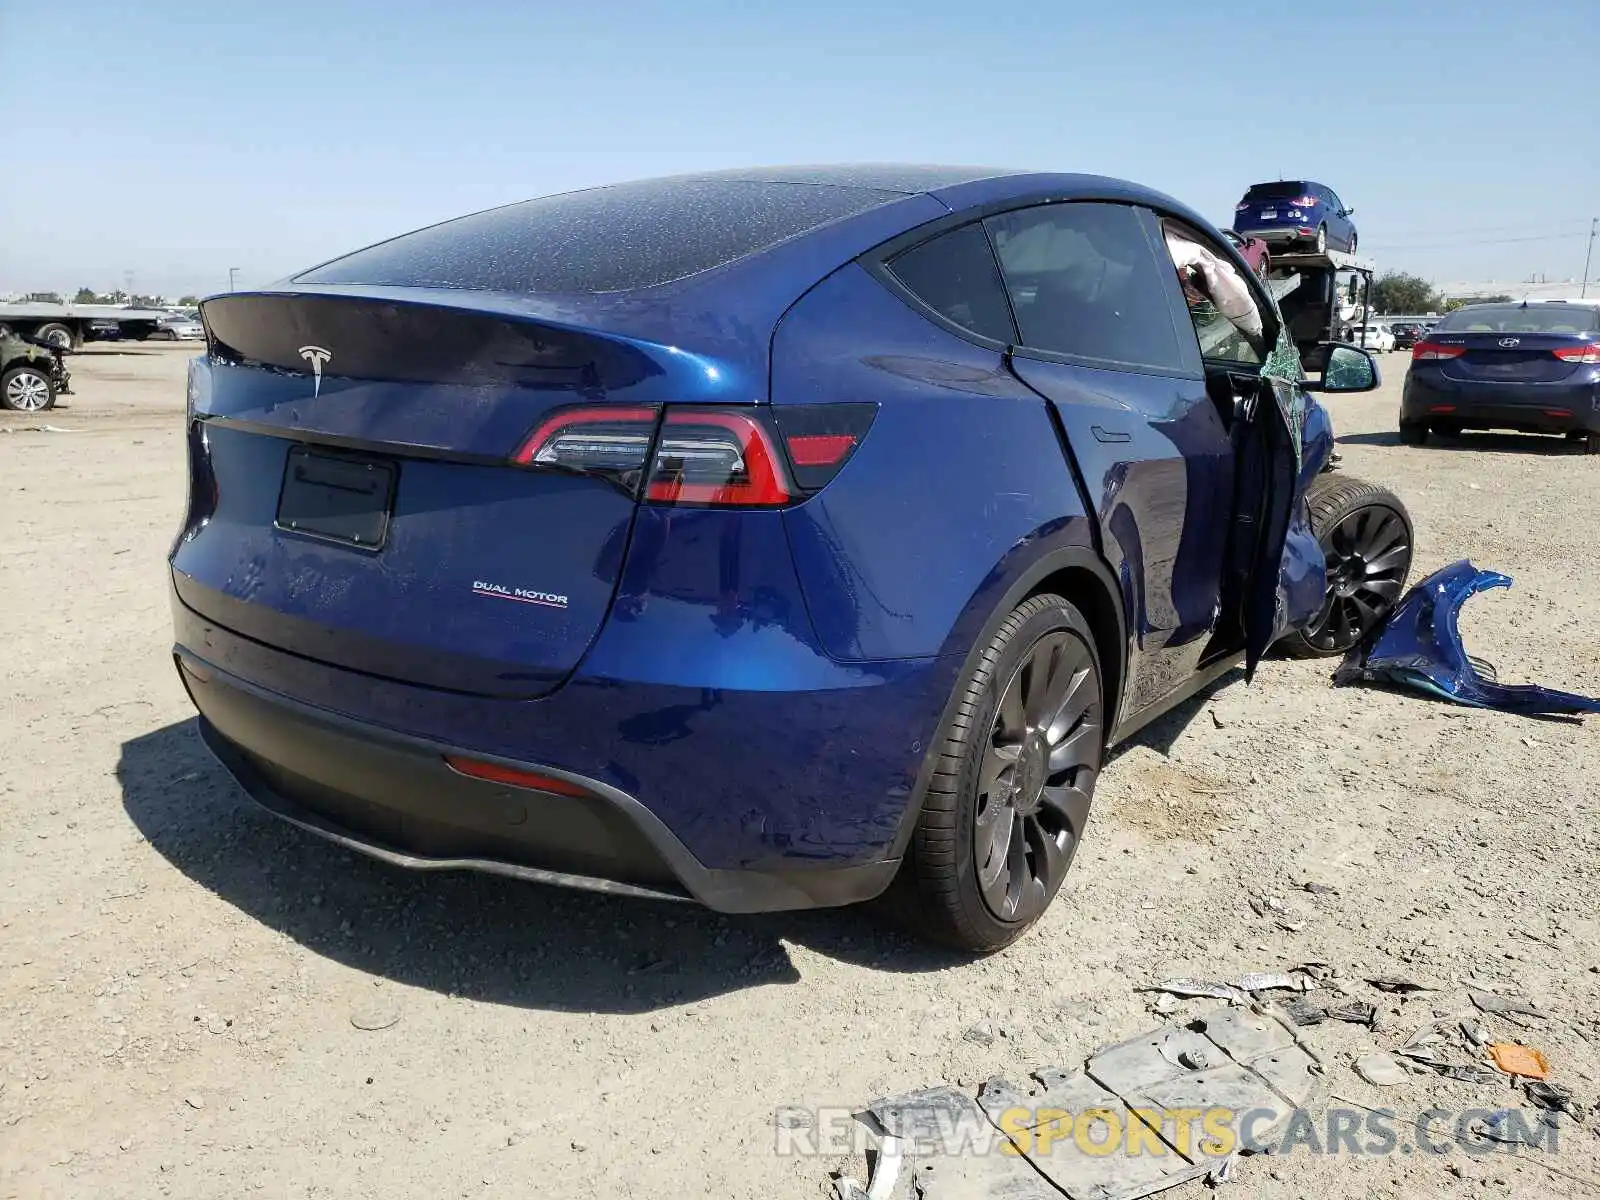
[178, 140]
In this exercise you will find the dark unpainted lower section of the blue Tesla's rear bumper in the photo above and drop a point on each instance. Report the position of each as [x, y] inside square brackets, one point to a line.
[396, 799]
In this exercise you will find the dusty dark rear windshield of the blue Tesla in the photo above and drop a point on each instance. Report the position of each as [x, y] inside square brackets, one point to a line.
[604, 239]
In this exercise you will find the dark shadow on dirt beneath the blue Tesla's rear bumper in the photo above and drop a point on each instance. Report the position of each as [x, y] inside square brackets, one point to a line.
[479, 937]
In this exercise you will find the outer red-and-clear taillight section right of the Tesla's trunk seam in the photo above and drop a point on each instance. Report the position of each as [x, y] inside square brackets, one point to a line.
[716, 457]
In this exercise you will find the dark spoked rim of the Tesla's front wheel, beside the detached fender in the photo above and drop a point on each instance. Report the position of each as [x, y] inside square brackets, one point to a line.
[1369, 558]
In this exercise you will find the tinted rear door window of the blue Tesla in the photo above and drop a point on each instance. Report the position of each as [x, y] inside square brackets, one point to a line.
[1086, 282]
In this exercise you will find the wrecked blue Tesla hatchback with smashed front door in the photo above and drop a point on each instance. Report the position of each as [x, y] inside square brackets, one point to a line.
[769, 538]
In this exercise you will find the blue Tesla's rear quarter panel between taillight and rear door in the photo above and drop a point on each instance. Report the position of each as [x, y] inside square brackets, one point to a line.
[961, 486]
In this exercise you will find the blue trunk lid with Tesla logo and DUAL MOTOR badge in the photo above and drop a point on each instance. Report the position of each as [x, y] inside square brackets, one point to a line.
[356, 500]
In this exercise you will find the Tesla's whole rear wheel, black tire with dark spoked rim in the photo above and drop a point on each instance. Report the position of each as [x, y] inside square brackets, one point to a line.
[1015, 766]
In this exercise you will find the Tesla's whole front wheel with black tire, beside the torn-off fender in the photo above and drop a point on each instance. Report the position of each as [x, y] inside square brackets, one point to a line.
[1366, 534]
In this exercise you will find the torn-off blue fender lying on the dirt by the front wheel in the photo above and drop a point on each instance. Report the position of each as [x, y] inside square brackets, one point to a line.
[1420, 647]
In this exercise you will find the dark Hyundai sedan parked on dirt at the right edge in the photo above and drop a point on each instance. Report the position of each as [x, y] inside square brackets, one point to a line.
[1524, 367]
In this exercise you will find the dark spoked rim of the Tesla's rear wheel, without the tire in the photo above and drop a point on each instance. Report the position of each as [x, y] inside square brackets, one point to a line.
[1036, 777]
